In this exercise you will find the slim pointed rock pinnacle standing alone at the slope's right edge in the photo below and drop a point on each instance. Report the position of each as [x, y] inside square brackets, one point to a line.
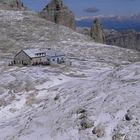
[96, 32]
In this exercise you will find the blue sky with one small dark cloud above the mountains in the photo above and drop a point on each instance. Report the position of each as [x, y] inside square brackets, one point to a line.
[93, 7]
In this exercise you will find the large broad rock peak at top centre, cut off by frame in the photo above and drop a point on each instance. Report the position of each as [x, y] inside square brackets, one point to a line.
[57, 12]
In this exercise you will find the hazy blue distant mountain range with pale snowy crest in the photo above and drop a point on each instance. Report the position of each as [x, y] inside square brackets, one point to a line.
[115, 22]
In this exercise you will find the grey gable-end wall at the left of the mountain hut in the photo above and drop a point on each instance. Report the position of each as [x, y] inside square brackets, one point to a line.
[22, 58]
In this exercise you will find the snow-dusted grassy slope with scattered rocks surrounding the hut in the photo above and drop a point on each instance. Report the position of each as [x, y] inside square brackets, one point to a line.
[97, 98]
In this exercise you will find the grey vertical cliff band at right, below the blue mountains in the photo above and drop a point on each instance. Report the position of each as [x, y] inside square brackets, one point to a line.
[126, 39]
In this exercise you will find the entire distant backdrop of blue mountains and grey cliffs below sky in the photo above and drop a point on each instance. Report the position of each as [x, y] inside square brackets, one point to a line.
[119, 31]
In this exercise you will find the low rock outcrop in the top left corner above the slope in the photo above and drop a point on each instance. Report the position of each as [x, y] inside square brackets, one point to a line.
[11, 5]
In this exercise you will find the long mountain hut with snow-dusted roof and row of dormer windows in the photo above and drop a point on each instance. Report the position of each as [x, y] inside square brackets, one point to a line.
[39, 56]
